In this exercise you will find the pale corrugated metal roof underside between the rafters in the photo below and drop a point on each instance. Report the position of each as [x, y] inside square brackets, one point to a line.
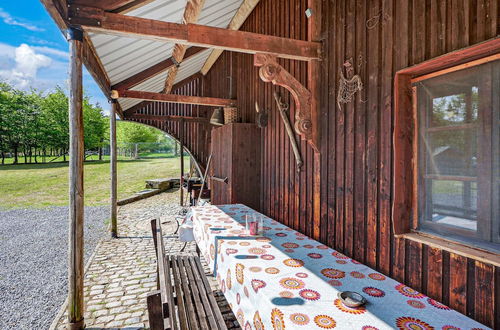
[124, 57]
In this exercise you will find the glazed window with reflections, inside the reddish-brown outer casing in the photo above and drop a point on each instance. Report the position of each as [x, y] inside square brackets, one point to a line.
[457, 114]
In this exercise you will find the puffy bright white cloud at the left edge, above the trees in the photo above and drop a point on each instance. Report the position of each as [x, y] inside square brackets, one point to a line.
[23, 71]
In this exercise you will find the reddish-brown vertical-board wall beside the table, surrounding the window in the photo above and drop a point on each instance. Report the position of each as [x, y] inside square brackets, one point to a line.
[381, 37]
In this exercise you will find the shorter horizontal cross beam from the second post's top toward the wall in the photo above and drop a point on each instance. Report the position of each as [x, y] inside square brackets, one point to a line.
[174, 98]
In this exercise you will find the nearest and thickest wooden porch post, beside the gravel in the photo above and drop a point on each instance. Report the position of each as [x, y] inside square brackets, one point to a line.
[76, 155]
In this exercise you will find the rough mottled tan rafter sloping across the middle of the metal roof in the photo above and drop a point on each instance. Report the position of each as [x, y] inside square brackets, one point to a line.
[191, 14]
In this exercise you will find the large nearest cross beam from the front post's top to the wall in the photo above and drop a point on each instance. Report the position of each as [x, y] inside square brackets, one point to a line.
[99, 21]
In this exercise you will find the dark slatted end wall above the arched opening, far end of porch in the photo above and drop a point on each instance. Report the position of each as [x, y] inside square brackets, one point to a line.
[194, 135]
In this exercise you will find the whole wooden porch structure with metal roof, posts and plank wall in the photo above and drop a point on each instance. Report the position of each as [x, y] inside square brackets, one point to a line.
[345, 75]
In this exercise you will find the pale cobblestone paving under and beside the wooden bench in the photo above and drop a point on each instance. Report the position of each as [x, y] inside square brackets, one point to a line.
[123, 270]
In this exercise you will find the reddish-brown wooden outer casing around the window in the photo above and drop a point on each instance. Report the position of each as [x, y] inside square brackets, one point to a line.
[405, 214]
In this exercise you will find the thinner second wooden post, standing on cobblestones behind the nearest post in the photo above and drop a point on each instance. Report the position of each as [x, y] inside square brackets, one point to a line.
[112, 154]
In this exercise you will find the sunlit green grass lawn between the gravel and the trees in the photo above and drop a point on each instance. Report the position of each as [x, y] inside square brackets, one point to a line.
[40, 185]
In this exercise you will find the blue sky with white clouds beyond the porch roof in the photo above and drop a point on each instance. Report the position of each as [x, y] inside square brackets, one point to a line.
[34, 52]
